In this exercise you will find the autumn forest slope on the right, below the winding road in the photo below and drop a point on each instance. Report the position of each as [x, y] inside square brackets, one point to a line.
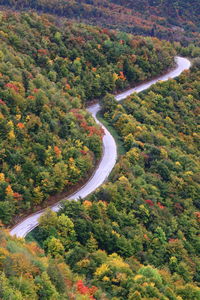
[148, 212]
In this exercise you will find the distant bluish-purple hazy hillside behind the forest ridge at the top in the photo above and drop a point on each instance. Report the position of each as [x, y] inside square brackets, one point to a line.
[173, 20]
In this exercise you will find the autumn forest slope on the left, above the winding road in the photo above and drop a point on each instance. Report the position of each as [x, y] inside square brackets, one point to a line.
[47, 76]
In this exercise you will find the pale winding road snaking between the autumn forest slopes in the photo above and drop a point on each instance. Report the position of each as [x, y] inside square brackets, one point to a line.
[109, 156]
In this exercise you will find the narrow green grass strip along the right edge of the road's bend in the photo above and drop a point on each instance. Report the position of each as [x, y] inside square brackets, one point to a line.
[120, 145]
